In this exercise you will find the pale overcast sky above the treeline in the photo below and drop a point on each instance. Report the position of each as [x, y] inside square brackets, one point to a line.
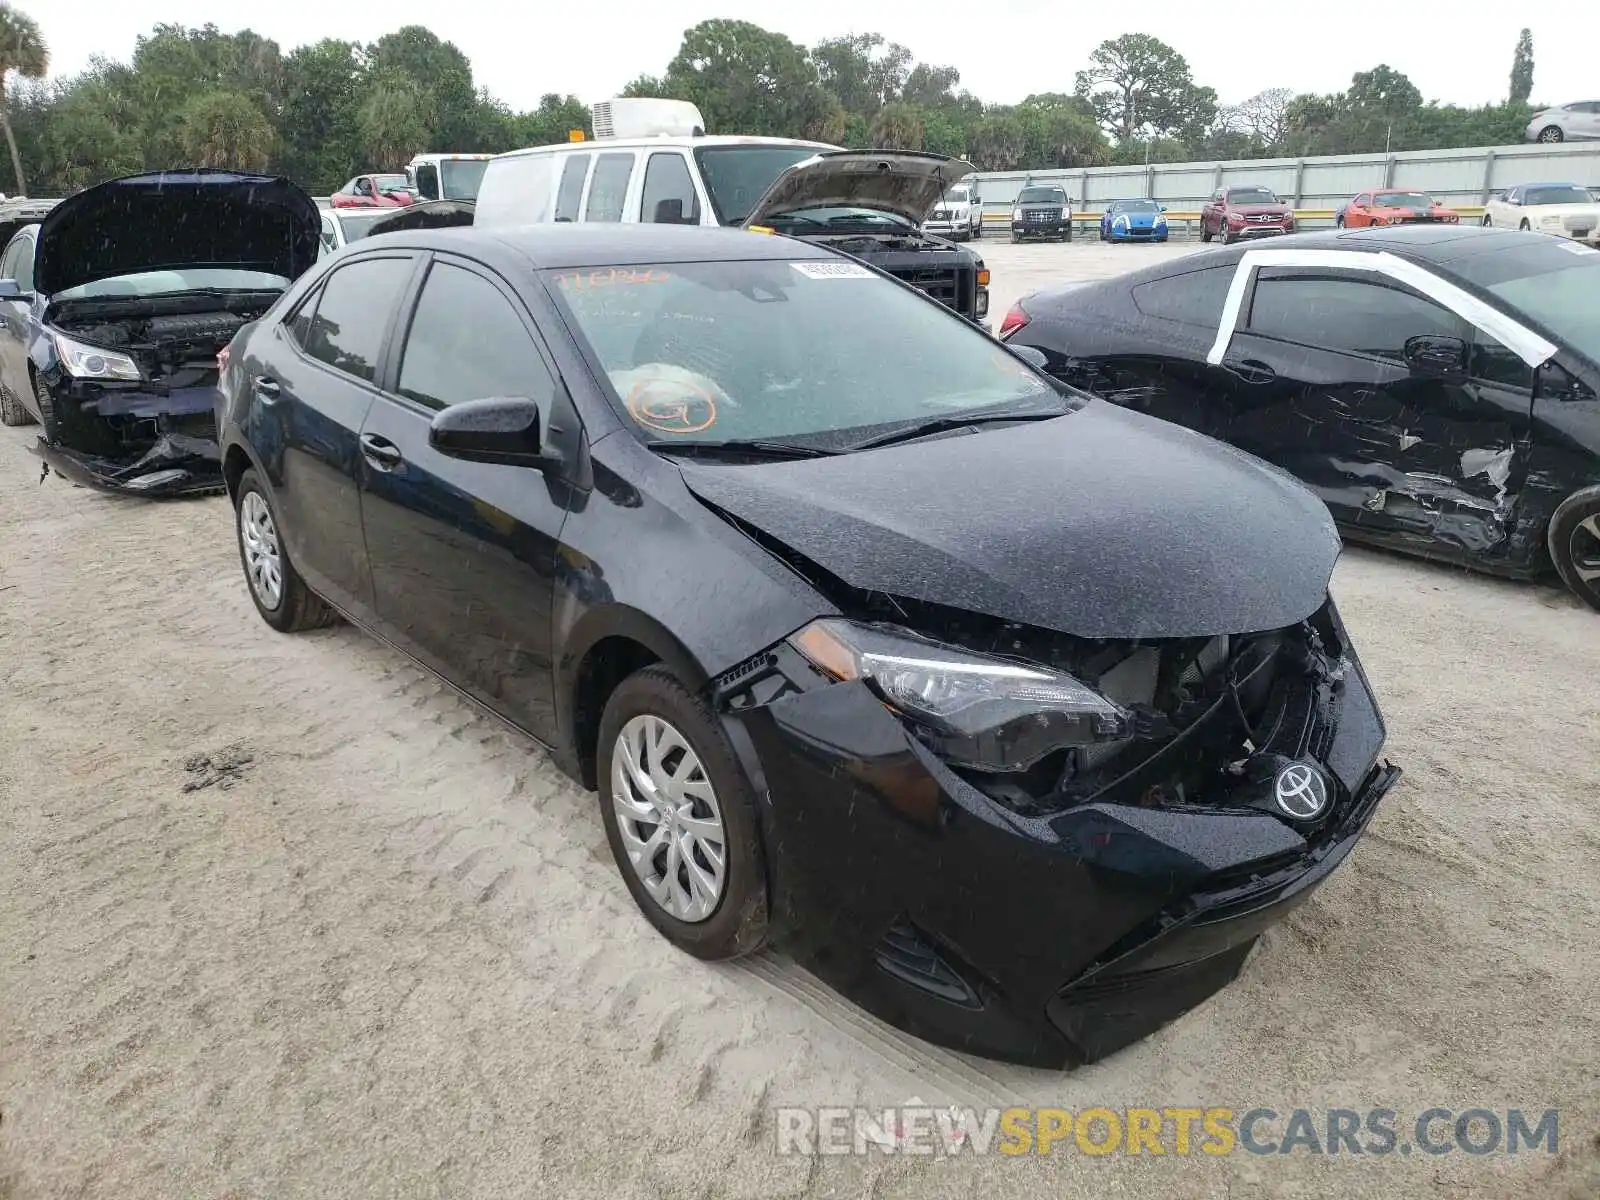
[1017, 47]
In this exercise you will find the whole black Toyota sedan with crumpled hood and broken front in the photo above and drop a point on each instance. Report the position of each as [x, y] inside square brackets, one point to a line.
[1014, 714]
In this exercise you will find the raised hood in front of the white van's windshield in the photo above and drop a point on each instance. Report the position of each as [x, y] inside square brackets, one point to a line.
[903, 183]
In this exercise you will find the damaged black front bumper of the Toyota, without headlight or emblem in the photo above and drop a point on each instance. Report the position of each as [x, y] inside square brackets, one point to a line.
[1052, 938]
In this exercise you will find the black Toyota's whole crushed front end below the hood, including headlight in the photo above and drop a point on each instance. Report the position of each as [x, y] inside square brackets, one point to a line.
[1052, 863]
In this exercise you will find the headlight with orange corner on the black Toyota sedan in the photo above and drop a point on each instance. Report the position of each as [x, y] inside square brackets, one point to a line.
[975, 711]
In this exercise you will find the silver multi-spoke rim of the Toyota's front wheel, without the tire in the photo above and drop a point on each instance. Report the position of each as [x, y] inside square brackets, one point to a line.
[670, 818]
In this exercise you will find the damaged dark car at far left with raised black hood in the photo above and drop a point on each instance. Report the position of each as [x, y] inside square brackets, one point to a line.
[118, 305]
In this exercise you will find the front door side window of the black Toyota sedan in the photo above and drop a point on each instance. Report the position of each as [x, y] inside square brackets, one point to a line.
[470, 343]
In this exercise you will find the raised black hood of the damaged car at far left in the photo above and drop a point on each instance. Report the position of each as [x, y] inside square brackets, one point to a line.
[174, 220]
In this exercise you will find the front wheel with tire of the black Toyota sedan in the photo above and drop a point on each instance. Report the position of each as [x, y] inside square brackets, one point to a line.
[681, 818]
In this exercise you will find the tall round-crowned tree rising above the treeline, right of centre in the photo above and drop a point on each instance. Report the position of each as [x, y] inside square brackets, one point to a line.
[1137, 82]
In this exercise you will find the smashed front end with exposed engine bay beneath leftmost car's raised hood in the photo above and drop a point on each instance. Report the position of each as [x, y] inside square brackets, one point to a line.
[153, 434]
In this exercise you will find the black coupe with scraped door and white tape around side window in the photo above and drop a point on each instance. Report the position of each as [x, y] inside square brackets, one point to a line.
[1438, 386]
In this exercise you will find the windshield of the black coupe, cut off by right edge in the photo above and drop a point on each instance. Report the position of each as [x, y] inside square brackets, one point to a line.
[1556, 286]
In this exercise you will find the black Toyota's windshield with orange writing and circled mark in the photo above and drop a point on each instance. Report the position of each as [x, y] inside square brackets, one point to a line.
[820, 353]
